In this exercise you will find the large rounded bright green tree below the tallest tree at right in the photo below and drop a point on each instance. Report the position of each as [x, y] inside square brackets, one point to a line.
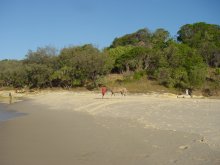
[180, 66]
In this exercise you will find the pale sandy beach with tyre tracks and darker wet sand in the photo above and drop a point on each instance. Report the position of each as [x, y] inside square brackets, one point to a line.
[66, 127]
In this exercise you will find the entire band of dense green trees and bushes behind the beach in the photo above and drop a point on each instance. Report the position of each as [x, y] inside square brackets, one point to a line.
[192, 60]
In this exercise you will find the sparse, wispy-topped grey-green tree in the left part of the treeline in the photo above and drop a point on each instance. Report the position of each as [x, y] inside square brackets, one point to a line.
[39, 66]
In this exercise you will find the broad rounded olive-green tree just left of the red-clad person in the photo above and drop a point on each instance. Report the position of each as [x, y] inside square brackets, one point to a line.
[86, 63]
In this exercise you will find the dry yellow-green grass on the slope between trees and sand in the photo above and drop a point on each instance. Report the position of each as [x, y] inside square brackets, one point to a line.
[144, 85]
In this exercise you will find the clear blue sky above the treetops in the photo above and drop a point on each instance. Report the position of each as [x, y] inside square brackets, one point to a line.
[29, 24]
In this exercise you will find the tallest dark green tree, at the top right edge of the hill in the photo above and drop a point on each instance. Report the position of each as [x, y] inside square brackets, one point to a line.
[203, 37]
